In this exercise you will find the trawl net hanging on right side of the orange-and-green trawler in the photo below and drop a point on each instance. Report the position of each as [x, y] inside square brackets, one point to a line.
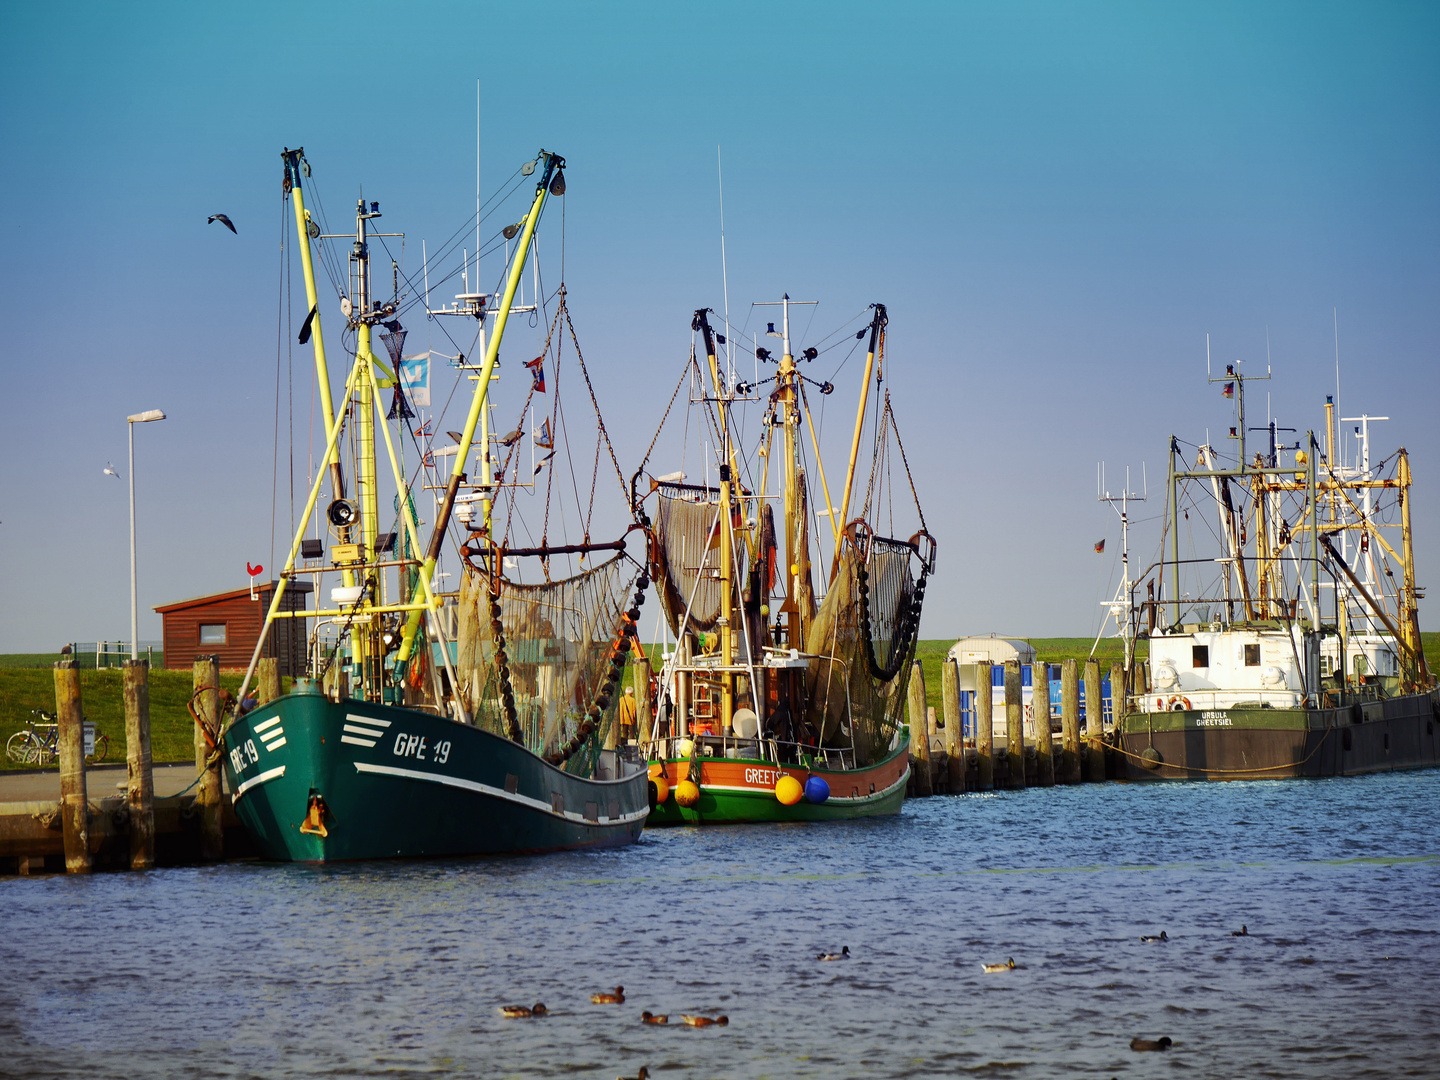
[878, 676]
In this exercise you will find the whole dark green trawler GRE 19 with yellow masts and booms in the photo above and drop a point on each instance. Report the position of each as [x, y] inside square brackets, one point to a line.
[438, 725]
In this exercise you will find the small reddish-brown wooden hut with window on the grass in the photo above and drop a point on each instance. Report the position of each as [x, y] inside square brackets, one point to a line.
[228, 624]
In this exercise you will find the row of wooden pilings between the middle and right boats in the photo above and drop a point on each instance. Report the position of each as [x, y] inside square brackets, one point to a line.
[944, 761]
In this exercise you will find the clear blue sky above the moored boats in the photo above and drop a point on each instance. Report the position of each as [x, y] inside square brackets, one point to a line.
[1058, 202]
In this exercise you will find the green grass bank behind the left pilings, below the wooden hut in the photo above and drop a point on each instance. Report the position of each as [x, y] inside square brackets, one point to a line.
[172, 732]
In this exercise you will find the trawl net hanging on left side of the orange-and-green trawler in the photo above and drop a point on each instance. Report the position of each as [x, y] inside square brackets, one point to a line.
[689, 535]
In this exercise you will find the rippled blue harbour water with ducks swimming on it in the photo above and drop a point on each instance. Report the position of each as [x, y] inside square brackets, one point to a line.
[398, 970]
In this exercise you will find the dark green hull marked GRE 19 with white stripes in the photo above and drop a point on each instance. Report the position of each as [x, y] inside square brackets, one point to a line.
[402, 784]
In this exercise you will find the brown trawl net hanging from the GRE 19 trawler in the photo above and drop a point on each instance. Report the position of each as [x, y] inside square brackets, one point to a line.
[558, 642]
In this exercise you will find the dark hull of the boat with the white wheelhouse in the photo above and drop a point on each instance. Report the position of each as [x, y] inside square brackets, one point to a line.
[1274, 744]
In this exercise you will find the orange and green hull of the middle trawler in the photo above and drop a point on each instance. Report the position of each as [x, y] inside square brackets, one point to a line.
[739, 791]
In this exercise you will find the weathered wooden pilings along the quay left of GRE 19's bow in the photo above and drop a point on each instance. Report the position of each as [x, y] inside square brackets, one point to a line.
[138, 816]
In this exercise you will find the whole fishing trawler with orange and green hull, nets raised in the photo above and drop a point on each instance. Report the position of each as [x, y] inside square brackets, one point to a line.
[780, 701]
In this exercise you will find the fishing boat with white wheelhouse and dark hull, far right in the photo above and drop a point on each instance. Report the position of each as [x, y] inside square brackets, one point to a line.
[1292, 649]
